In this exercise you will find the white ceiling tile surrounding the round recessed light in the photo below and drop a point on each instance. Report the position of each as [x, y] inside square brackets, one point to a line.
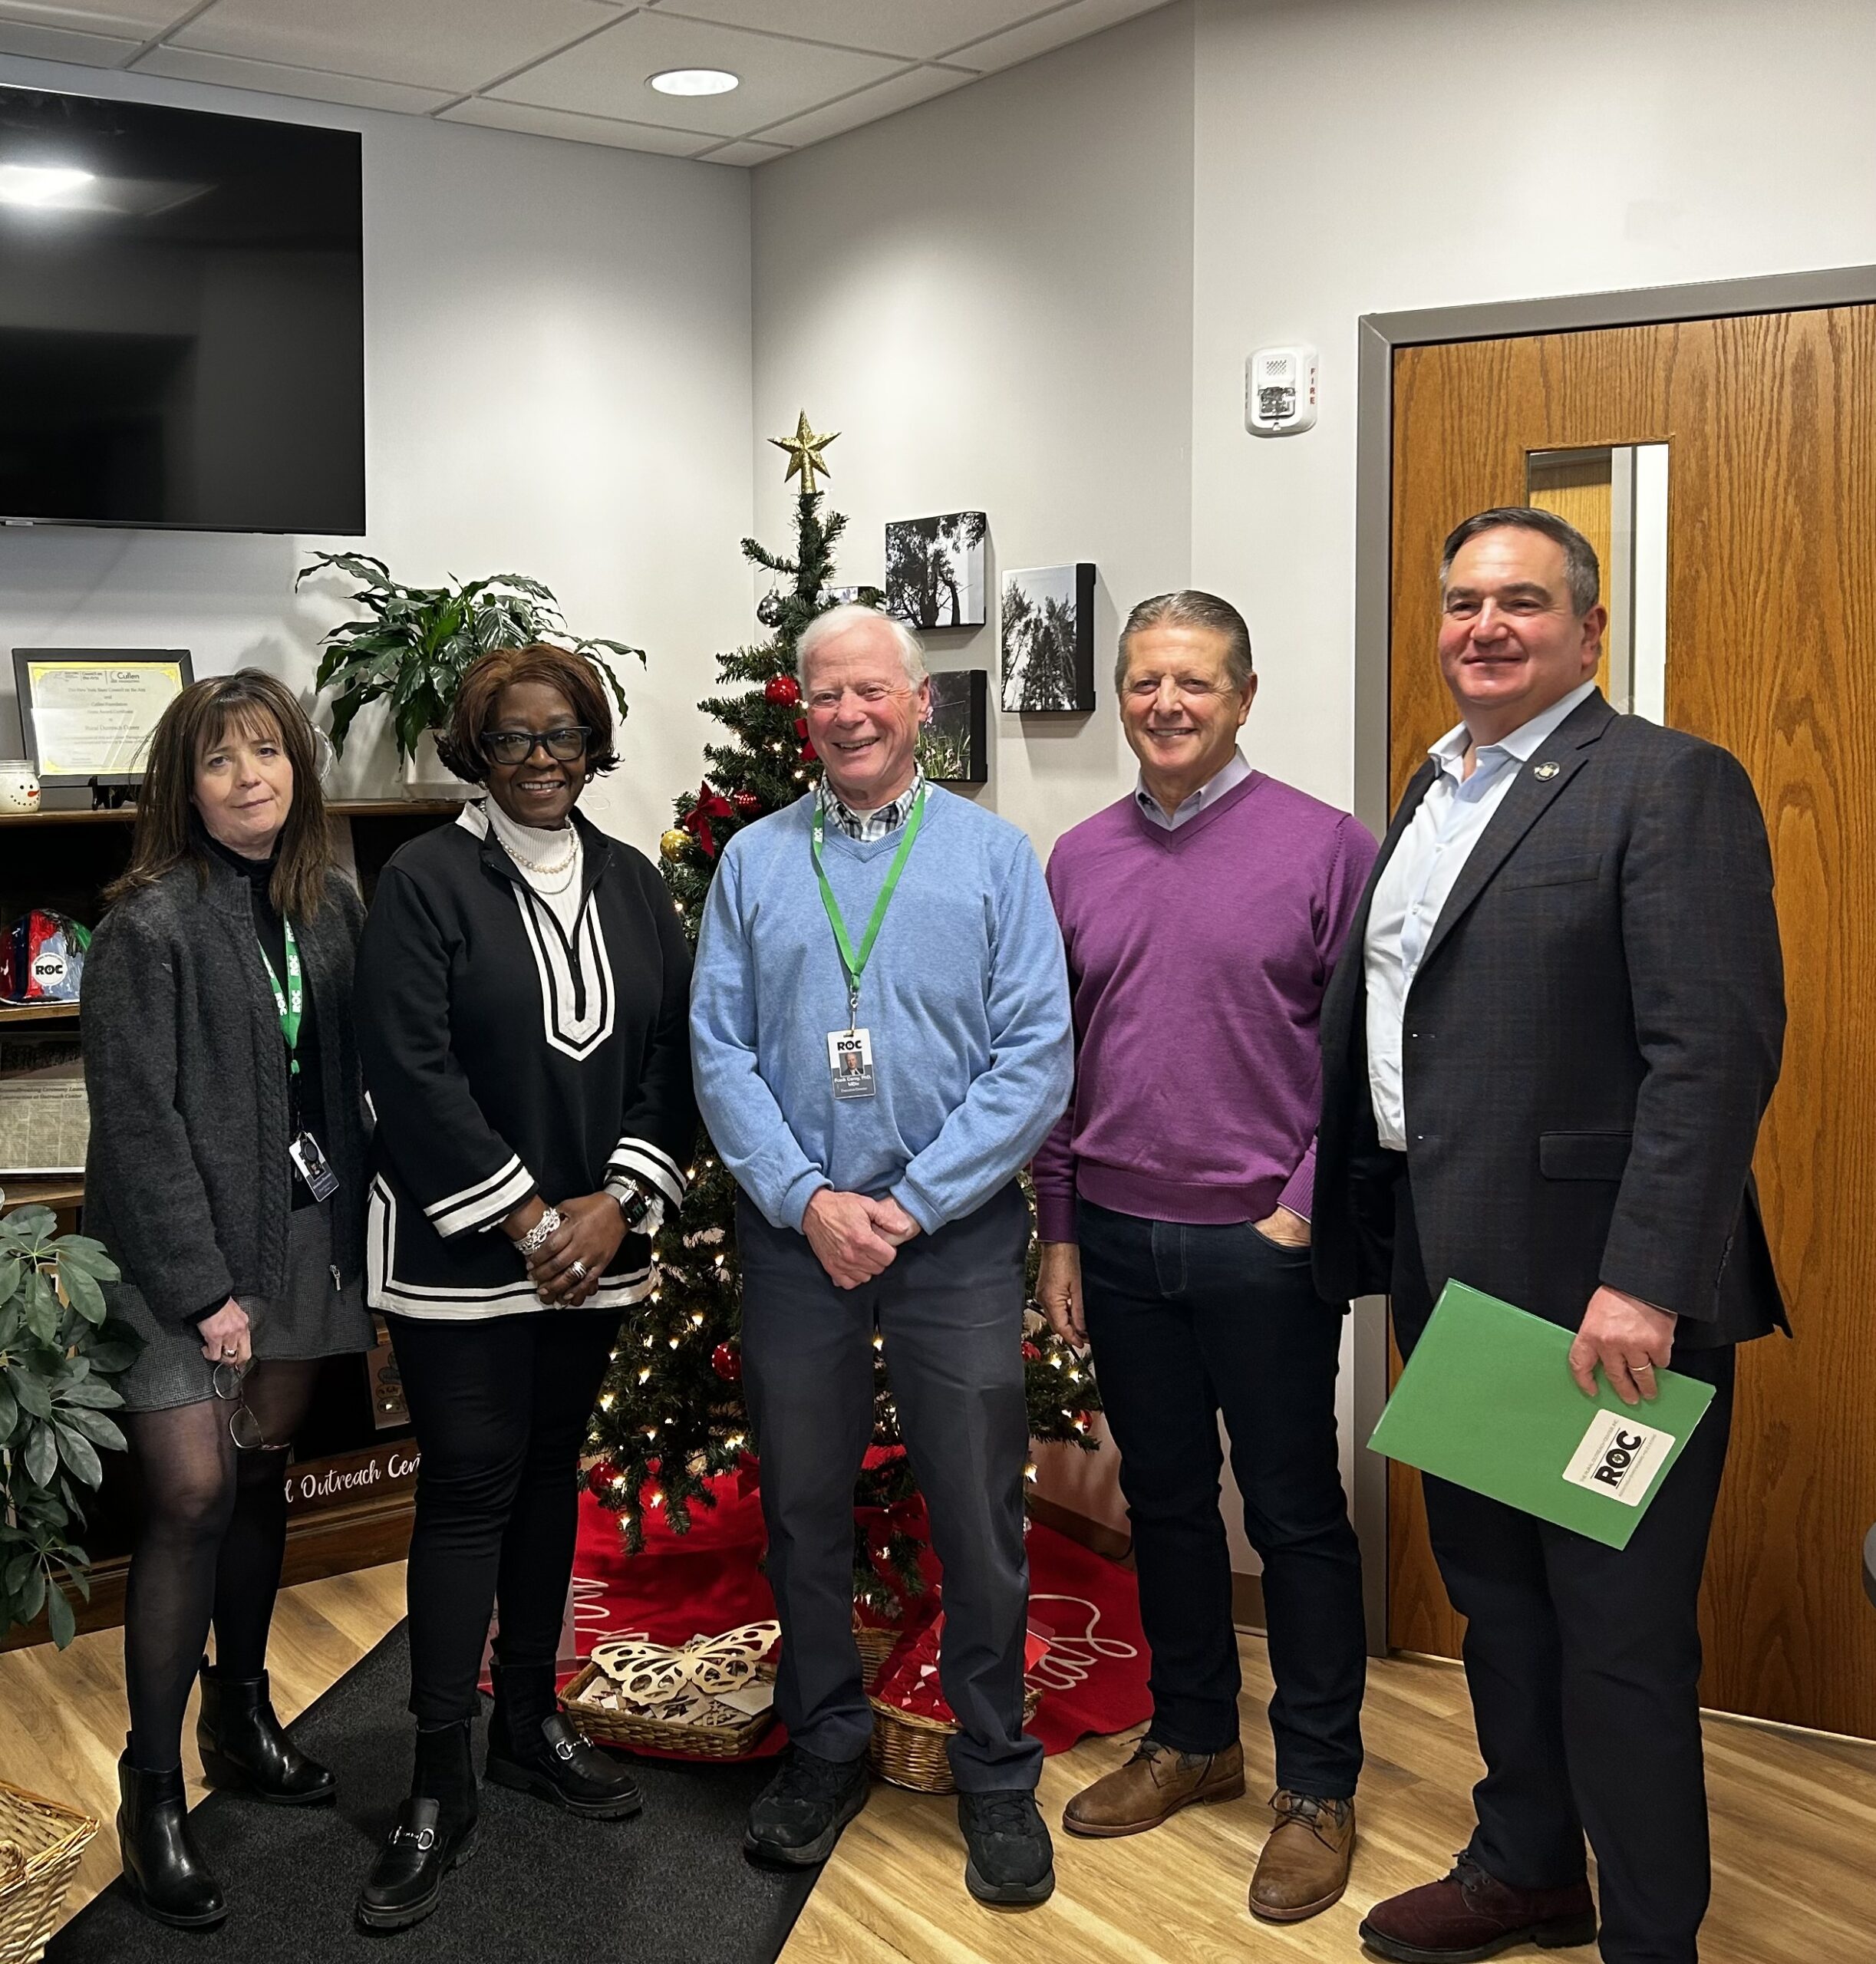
[608, 76]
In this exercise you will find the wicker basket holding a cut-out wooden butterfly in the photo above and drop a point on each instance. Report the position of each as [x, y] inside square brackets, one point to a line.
[710, 1700]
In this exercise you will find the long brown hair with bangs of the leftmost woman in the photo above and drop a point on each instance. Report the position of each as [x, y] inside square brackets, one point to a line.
[170, 832]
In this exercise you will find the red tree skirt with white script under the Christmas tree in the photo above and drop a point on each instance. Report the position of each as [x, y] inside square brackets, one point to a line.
[1093, 1680]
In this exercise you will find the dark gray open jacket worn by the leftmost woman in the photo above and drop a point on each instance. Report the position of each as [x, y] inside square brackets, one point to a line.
[188, 1179]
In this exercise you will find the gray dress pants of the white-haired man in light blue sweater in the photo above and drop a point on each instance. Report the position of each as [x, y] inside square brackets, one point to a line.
[950, 1311]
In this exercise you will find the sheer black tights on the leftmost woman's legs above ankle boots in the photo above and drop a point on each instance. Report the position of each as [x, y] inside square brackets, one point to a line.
[209, 1549]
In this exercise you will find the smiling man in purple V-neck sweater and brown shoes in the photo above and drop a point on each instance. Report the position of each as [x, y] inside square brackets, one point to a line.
[1203, 916]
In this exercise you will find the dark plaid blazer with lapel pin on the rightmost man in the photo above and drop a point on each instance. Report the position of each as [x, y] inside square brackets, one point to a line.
[1590, 1046]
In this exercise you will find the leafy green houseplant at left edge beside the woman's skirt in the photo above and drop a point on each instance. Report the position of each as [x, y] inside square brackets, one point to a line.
[58, 1362]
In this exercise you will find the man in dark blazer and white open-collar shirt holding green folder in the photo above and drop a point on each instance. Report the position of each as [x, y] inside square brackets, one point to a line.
[1547, 1056]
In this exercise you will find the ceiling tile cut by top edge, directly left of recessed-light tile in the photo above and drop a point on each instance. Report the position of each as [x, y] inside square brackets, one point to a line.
[433, 44]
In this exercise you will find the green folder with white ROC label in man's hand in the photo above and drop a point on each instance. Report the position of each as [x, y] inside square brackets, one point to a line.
[1488, 1403]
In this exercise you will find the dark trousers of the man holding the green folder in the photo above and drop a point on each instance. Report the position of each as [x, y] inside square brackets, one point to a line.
[1584, 1672]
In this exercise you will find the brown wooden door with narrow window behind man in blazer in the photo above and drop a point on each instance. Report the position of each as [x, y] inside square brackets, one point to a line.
[1771, 425]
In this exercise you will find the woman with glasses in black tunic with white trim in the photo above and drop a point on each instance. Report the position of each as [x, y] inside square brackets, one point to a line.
[524, 989]
